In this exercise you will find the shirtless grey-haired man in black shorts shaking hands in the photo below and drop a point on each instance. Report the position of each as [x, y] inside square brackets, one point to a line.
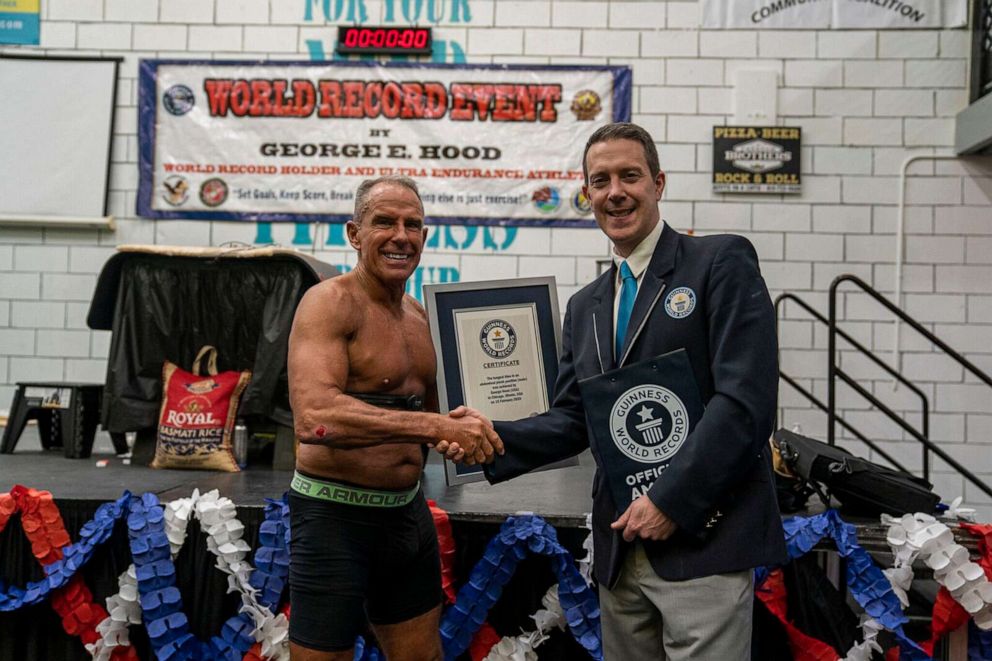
[363, 542]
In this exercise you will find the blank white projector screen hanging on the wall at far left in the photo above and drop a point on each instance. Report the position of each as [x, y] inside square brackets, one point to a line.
[56, 124]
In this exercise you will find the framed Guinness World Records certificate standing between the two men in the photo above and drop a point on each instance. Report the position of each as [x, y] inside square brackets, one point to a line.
[497, 344]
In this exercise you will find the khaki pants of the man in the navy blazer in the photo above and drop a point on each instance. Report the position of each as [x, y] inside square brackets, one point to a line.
[646, 618]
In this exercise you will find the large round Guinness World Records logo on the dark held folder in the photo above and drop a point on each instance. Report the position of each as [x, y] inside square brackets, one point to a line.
[649, 423]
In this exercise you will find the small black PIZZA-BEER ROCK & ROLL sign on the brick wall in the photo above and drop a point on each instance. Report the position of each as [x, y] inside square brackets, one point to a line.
[756, 159]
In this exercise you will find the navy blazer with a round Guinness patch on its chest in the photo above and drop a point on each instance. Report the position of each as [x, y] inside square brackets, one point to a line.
[718, 488]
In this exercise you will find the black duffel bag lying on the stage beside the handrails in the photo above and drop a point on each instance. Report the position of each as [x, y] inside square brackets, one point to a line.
[860, 486]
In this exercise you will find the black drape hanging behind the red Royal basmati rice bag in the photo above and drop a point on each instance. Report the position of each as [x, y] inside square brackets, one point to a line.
[167, 308]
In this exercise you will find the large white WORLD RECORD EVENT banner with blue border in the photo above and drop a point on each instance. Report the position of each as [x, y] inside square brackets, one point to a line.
[291, 141]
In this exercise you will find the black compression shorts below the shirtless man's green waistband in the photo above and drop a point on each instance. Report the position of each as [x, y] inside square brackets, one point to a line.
[351, 563]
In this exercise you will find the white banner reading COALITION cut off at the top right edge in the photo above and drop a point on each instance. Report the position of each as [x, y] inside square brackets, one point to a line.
[823, 14]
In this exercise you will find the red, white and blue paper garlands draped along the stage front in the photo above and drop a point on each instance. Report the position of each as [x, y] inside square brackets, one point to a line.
[148, 594]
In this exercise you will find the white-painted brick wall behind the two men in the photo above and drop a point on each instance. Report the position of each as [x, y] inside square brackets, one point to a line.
[865, 99]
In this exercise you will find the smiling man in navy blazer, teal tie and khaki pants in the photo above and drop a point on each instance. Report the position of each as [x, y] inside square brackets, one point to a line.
[675, 567]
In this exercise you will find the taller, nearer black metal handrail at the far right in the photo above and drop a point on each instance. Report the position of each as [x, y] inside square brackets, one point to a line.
[833, 372]
